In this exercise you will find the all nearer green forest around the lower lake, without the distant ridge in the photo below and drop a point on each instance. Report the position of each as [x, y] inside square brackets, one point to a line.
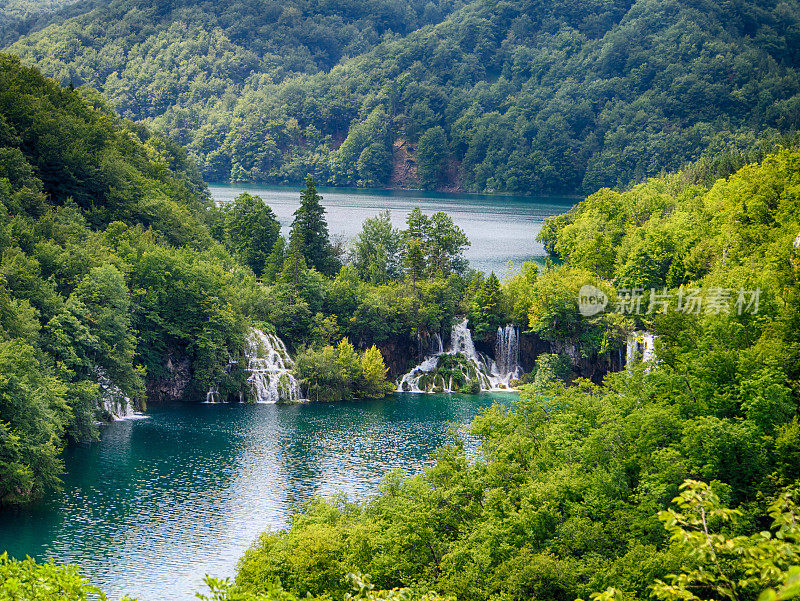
[669, 480]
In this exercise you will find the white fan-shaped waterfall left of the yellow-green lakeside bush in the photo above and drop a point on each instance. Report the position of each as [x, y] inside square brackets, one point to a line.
[269, 367]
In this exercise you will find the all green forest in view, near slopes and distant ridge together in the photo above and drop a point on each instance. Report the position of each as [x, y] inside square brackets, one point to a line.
[672, 475]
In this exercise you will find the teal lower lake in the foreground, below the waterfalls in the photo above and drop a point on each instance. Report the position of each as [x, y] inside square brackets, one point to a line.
[159, 502]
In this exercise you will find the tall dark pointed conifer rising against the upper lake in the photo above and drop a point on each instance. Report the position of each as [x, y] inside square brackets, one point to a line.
[311, 230]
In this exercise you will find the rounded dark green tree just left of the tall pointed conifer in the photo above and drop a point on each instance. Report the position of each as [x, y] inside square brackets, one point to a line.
[252, 230]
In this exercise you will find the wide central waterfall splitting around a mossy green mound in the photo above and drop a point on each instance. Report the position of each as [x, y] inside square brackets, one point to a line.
[436, 371]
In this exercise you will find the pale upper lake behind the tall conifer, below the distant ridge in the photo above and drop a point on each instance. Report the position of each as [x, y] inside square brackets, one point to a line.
[501, 228]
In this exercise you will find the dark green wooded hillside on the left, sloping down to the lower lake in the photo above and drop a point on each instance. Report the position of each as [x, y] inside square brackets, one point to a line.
[107, 274]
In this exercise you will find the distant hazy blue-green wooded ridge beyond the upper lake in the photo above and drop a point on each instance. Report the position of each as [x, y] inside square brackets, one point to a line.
[519, 96]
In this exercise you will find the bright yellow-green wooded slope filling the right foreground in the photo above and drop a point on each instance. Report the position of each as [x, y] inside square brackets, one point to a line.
[574, 490]
